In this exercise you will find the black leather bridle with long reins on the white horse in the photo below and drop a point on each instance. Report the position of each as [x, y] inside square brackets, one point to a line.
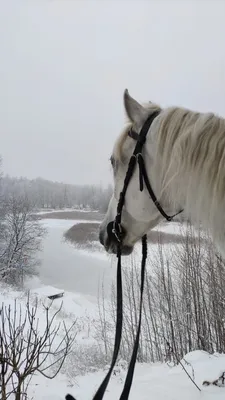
[117, 232]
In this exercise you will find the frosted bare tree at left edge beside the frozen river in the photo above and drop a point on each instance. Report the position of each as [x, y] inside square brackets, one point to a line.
[20, 239]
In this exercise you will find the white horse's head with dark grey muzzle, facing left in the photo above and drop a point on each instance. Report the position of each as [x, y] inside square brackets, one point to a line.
[139, 213]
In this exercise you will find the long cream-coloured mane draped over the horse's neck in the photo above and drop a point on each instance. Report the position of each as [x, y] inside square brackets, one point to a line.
[191, 152]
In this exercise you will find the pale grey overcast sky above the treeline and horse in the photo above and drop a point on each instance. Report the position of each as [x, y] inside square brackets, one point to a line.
[65, 64]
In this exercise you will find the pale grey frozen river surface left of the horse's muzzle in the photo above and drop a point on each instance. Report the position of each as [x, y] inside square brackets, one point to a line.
[67, 268]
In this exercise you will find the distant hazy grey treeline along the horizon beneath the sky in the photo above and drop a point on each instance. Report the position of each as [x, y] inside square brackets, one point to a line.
[56, 195]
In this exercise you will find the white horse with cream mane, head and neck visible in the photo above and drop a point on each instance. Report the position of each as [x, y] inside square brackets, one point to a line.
[184, 155]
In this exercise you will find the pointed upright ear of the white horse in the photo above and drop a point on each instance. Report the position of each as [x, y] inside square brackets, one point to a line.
[135, 111]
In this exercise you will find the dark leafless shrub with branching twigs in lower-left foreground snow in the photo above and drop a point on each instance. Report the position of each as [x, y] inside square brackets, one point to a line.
[26, 347]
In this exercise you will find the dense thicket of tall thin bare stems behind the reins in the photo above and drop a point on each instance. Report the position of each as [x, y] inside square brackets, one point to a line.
[183, 301]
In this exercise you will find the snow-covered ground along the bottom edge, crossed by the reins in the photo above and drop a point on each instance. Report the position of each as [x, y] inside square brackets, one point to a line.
[156, 382]
